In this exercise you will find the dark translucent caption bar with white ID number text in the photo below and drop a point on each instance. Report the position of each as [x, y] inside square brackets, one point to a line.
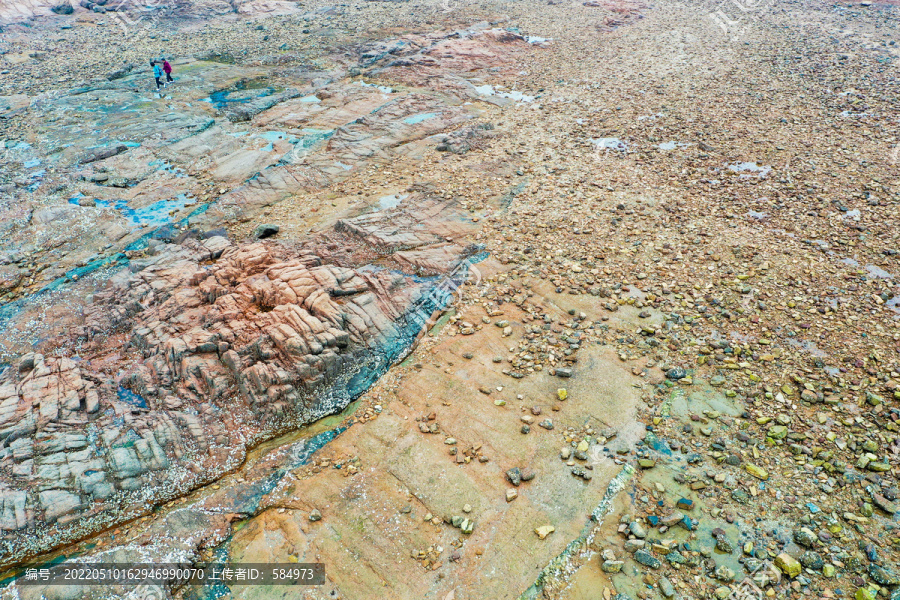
[175, 574]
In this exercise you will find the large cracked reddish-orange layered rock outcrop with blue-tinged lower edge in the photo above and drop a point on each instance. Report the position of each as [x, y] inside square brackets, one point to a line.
[194, 354]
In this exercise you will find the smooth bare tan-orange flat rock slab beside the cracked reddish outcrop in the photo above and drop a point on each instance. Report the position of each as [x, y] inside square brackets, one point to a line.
[409, 489]
